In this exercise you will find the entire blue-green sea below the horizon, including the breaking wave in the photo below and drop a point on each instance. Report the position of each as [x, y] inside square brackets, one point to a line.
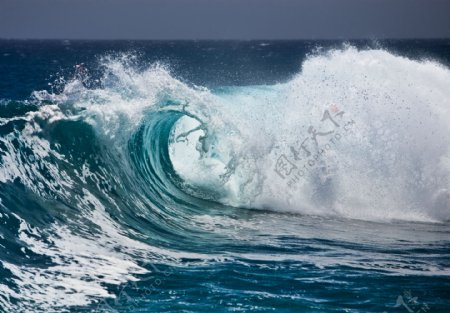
[249, 176]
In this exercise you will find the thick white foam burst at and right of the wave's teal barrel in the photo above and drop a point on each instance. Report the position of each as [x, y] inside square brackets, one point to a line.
[393, 163]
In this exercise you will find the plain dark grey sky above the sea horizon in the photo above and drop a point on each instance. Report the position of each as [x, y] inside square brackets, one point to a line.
[224, 19]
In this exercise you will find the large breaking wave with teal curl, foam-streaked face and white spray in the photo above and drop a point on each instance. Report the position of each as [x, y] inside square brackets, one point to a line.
[142, 166]
